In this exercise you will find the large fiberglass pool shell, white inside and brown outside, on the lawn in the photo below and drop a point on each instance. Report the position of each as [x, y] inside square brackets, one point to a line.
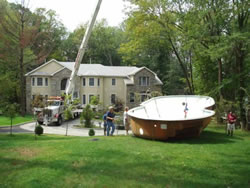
[166, 117]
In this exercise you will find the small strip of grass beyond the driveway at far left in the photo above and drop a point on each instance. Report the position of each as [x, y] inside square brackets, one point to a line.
[5, 121]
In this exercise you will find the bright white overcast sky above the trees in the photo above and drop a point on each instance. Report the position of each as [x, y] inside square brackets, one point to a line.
[74, 12]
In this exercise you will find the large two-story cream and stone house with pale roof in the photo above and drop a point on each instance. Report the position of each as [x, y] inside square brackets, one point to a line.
[109, 83]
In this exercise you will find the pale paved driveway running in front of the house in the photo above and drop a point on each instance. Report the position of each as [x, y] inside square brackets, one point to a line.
[72, 131]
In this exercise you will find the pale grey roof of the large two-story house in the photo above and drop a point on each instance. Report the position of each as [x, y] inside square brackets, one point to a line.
[95, 70]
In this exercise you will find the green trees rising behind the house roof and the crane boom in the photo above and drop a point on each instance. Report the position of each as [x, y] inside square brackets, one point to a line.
[102, 46]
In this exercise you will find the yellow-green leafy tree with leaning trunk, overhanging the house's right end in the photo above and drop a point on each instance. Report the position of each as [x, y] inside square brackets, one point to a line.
[153, 34]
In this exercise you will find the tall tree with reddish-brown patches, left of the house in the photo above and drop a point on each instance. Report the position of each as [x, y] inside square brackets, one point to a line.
[26, 40]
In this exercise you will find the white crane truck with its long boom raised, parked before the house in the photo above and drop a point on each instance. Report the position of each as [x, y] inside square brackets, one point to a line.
[55, 109]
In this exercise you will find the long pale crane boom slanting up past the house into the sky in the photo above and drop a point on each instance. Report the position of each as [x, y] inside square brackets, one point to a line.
[81, 51]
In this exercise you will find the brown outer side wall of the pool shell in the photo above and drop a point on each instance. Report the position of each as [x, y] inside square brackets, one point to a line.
[162, 130]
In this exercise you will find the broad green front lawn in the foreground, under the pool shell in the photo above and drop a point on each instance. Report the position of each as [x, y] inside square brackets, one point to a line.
[213, 160]
